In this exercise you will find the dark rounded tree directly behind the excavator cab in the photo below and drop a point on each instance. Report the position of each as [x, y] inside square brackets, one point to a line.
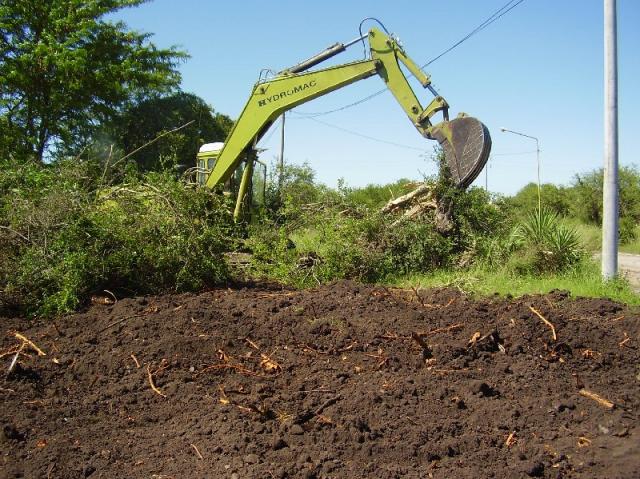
[152, 117]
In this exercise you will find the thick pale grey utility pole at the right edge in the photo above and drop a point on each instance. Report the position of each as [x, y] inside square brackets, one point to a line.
[610, 193]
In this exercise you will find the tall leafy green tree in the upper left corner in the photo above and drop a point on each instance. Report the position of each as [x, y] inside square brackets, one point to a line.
[64, 70]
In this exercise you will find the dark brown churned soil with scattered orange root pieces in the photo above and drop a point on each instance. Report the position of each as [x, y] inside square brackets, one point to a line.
[263, 383]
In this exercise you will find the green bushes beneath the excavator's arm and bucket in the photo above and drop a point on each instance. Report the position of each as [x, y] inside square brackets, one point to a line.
[332, 235]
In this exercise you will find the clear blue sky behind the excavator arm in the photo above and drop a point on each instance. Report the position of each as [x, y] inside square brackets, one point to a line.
[538, 70]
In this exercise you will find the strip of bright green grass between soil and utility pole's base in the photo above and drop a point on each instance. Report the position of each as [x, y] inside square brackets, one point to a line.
[584, 281]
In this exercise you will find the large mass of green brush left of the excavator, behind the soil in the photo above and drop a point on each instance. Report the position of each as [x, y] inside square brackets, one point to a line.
[64, 236]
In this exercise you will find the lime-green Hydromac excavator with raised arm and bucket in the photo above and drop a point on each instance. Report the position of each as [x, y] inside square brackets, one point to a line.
[465, 140]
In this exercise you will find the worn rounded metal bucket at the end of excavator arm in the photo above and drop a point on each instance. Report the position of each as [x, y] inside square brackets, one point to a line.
[466, 144]
